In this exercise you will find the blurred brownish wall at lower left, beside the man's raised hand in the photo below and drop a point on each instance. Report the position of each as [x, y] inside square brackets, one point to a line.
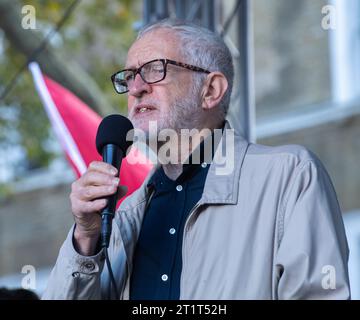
[33, 226]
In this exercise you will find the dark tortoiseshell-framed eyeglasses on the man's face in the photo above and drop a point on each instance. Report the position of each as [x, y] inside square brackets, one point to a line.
[151, 72]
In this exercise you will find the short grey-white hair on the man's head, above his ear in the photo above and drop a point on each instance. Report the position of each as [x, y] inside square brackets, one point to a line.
[202, 48]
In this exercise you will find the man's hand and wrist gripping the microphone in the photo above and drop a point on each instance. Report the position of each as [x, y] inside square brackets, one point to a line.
[87, 197]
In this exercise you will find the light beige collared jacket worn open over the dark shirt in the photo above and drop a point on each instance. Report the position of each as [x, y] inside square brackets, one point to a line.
[270, 229]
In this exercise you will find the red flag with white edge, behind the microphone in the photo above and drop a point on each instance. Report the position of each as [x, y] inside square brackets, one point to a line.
[75, 125]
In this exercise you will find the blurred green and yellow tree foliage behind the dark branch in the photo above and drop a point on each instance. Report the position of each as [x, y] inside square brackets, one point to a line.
[96, 38]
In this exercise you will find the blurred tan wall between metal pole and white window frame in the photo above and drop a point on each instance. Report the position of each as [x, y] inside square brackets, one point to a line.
[292, 58]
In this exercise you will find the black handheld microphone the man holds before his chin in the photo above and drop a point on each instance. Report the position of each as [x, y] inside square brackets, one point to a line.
[112, 145]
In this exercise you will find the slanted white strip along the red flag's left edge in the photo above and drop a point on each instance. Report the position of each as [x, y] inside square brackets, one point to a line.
[56, 120]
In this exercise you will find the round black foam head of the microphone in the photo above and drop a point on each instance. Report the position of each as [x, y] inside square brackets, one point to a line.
[113, 129]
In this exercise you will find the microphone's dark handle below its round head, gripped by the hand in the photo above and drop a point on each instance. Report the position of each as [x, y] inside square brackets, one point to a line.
[113, 155]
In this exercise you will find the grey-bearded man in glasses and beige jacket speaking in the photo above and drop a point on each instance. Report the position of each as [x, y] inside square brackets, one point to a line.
[268, 227]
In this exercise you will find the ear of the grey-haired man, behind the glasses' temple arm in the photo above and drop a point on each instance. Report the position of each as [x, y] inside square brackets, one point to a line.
[213, 90]
